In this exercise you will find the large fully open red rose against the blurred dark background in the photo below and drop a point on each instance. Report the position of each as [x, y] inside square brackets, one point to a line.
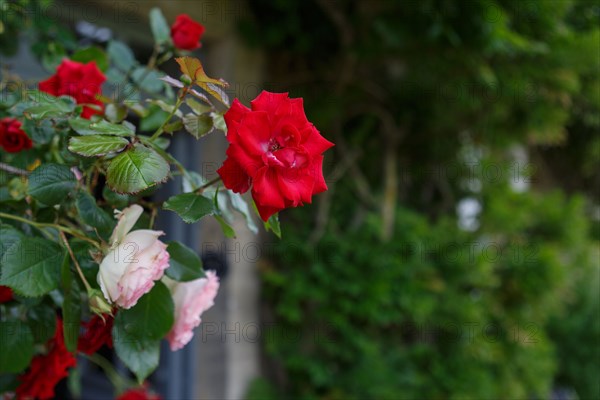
[274, 149]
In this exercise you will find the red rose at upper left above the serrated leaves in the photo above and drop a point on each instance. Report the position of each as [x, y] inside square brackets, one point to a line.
[81, 81]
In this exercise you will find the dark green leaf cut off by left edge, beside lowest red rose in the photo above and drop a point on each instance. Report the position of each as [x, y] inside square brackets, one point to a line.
[16, 342]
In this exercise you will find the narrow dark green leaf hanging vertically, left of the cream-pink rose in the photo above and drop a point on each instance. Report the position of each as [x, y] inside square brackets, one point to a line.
[71, 307]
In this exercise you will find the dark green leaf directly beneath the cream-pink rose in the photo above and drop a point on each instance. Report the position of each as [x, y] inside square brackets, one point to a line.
[152, 317]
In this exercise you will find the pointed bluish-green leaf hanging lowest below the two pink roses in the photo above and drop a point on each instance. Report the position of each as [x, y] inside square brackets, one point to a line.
[141, 356]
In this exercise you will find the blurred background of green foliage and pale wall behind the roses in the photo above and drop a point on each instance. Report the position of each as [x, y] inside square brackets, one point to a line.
[456, 253]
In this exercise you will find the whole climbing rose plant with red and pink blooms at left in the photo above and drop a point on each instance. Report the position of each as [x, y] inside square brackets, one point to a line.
[81, 262]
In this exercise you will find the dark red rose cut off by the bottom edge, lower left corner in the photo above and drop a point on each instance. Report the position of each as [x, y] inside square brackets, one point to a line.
[47, 370]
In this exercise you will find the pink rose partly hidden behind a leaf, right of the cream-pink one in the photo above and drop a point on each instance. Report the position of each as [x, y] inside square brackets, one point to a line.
[191, 300]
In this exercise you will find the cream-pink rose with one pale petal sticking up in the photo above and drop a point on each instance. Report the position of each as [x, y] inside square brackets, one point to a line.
[136, 259]
